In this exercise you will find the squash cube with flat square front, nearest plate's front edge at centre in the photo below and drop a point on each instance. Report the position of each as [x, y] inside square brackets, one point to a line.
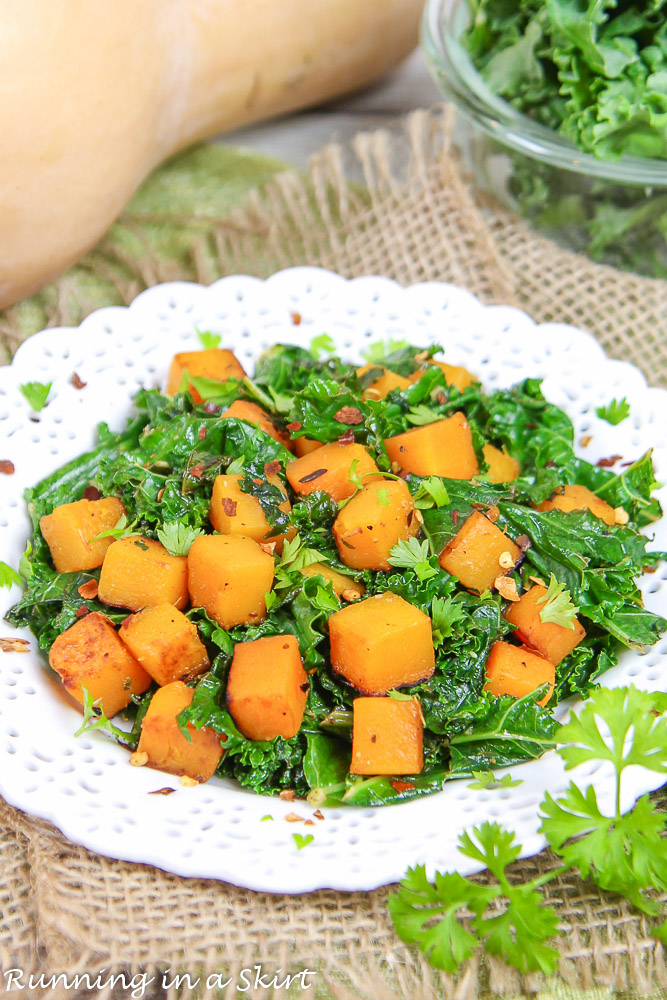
[387, 736]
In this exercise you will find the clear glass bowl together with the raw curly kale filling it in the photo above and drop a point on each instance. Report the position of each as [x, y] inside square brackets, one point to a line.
[564, 116]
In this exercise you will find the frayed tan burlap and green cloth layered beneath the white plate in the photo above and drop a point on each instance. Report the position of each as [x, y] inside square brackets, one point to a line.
[394, 204]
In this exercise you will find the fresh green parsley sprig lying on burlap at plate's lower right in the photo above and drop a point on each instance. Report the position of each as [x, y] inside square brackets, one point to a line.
[450, 917]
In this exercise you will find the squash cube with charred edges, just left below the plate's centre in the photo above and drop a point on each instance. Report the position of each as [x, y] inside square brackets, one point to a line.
[267, 687]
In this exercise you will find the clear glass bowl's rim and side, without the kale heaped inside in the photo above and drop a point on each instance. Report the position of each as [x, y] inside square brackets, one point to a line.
[613, 210]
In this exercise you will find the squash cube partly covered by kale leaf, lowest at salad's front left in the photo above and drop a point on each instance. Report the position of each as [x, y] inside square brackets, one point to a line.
[168, 749]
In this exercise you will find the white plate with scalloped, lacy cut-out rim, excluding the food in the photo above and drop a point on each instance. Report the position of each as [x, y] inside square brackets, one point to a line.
[85, 786]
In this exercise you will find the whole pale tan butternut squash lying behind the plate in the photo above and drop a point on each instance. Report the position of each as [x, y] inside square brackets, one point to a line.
[93, 96]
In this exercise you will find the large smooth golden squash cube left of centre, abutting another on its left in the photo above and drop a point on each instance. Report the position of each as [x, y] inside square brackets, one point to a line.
[228, 576]
